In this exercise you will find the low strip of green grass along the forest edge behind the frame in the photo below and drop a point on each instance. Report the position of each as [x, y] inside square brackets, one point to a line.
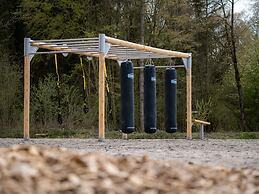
[86, 134]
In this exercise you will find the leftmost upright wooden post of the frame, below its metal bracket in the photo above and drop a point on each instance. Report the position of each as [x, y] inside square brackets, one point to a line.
[26, 114]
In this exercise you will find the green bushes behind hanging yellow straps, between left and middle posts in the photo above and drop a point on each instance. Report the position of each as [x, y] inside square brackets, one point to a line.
[45, 100]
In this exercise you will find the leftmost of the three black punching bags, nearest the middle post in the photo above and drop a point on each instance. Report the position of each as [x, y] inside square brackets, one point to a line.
[127, 97]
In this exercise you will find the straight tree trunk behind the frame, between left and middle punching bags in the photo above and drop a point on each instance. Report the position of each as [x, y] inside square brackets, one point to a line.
[141, 72]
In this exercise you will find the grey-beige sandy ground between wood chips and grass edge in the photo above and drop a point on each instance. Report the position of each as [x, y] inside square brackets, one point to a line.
[230, 153]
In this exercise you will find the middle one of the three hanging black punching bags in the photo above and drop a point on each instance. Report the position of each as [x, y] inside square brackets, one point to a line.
[150, 99]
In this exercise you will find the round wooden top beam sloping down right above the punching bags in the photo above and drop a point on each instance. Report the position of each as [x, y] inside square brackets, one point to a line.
[146, 48]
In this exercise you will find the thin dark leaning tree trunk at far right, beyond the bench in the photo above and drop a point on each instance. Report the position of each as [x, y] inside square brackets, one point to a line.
[237, 74]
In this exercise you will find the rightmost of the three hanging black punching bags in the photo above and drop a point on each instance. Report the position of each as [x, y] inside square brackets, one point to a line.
[170, 100]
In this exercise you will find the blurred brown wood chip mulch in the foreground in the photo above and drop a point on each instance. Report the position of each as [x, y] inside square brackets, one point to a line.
[44, 170]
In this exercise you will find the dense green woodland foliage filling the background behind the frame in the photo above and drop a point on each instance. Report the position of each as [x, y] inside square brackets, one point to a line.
[192, 26]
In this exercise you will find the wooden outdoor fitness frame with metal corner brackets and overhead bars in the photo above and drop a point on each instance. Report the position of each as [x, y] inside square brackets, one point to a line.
[102, 47]
